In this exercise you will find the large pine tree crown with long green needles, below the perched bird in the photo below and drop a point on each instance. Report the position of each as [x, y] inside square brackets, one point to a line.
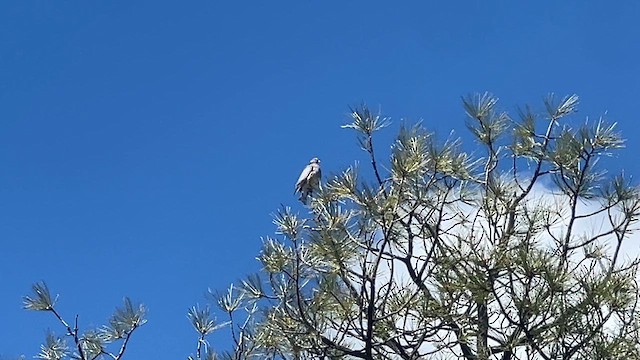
[454, 256]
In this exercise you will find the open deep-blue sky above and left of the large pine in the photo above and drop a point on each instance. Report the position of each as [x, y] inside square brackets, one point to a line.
[144, 145]
